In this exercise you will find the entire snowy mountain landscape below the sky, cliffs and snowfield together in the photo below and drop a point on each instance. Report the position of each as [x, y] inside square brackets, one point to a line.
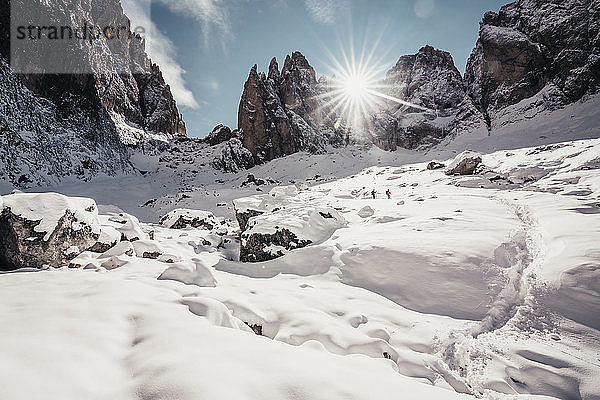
[270, 261]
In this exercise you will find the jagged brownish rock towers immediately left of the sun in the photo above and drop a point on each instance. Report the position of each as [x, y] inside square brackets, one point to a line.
[283, 112]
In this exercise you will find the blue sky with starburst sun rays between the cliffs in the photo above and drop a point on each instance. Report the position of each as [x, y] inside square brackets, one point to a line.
[207, 47]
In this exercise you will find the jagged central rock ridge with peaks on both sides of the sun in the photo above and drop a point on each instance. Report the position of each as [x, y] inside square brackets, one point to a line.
[282, 113]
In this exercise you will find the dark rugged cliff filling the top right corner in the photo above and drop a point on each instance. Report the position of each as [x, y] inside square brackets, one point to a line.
[530, 44]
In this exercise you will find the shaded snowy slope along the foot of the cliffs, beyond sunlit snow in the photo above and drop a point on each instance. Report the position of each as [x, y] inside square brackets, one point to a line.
[183, 176]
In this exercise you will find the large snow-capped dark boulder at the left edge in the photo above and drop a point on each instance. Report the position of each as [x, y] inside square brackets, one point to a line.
[49, 228]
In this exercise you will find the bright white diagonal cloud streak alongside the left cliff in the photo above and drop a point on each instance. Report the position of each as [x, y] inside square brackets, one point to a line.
[162, 51]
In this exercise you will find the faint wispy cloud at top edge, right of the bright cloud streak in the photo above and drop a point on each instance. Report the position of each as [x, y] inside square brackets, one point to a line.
[212, 15]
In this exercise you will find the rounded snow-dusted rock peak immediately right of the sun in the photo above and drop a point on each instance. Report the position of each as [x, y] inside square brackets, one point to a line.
[431, 80]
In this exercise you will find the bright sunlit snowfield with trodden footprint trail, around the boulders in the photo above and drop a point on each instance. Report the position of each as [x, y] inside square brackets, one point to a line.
[457, 287]
